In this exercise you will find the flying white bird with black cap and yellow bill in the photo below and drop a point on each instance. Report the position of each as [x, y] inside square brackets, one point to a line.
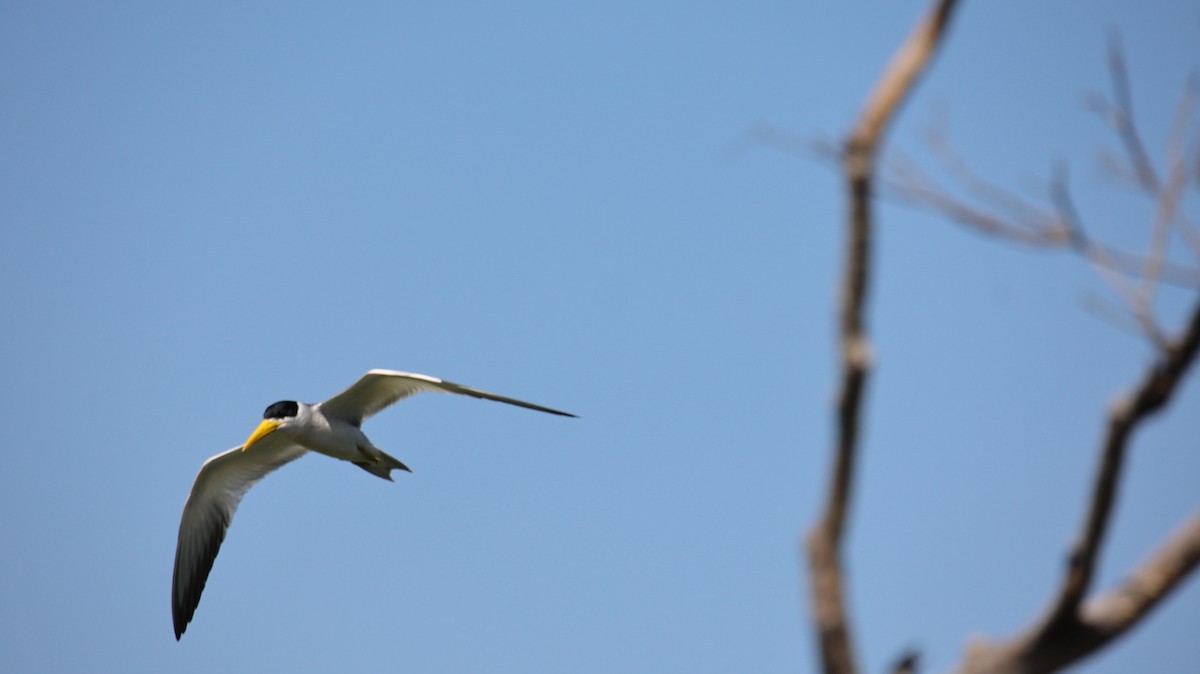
[289, 431]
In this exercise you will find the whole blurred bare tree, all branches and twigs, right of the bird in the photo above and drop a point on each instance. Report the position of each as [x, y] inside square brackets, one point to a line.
[1075, 624]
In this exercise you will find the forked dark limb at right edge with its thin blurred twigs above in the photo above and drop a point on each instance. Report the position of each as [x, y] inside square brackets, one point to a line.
[1076, 624]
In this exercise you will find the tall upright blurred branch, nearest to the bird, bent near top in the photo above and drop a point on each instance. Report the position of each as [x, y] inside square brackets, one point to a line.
[859, 164]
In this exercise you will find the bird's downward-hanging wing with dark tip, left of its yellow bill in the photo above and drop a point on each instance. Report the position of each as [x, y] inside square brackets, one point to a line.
[224, 480]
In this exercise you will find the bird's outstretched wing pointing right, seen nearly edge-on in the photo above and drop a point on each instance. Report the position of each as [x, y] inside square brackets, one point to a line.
[382, 388]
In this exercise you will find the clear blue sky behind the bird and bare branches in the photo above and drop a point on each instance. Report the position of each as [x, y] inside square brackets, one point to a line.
[209, 207]
